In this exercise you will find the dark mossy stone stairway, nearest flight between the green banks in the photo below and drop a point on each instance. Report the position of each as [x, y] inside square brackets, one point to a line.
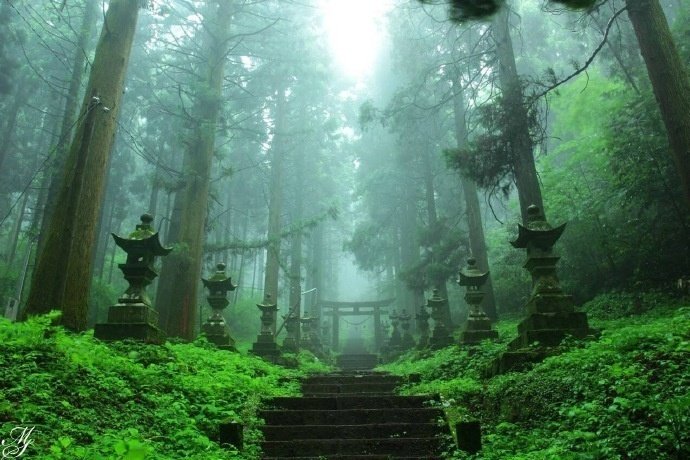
[352, 415]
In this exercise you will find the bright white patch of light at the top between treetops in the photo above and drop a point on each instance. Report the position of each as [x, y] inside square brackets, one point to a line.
[355, 31]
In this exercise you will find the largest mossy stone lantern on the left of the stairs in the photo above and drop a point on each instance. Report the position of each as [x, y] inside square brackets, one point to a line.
[133, 316]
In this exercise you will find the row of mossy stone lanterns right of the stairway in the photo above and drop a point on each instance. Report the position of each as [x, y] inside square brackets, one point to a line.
[551, 315]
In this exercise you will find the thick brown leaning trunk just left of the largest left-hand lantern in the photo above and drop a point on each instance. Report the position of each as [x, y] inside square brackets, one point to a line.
[62, 276]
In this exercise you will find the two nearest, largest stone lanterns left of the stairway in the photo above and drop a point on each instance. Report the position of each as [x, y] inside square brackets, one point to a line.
[133, 316]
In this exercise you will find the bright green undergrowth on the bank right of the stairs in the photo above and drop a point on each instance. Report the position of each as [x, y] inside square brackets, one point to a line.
[623, 396]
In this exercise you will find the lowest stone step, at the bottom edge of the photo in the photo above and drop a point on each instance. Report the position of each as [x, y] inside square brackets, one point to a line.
[322, 447]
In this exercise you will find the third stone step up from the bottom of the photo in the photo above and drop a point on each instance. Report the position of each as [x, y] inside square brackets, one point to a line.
[351, 416]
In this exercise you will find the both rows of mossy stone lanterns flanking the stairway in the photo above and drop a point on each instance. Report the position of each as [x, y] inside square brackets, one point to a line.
[550, 312]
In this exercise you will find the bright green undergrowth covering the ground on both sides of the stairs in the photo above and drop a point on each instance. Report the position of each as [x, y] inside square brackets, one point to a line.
[625, 395]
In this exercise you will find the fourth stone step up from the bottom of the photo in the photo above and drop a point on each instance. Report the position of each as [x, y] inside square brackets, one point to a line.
[352, 402]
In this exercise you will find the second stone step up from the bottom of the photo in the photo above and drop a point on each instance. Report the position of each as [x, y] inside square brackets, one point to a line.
[377, 431]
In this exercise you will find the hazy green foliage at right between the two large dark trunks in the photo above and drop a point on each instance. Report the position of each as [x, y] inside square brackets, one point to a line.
[611, 178]
